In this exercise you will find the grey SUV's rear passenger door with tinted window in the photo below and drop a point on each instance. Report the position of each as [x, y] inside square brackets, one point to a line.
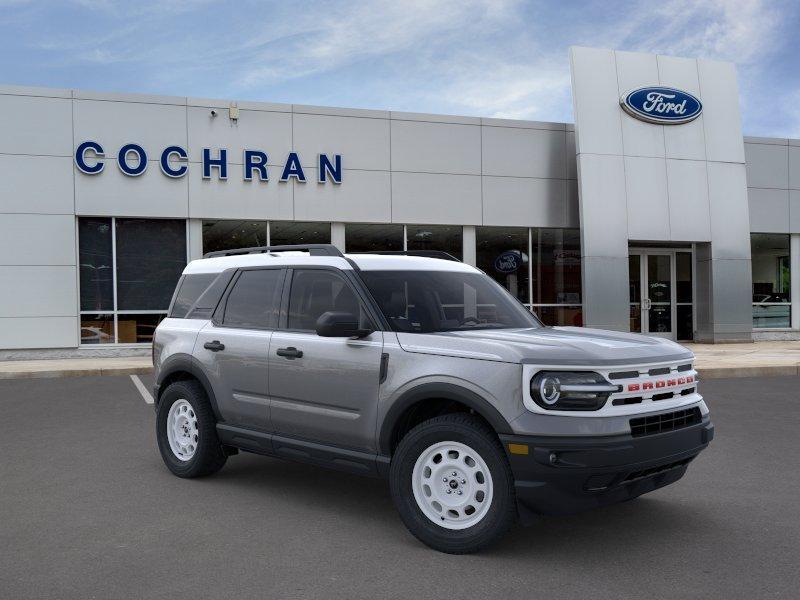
[233, 349]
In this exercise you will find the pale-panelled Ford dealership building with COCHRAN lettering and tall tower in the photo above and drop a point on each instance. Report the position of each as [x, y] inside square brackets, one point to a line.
[651, 213]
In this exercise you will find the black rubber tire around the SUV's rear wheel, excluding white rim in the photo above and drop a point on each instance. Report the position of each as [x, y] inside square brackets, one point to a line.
[208, 457]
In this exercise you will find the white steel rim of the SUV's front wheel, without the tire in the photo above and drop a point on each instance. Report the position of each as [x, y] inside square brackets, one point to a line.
[452, 485]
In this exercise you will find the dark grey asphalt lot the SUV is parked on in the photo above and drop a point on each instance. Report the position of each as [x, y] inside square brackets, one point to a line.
[87, 510]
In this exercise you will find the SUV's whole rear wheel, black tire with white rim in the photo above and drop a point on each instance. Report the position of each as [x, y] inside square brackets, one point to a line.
[186, 431]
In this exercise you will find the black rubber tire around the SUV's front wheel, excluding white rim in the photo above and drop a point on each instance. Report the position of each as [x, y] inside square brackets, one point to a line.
[473, 432]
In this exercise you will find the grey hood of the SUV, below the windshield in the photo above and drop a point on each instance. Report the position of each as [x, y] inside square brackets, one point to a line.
[548, 346]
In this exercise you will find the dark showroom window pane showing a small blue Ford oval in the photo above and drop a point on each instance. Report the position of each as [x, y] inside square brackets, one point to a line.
[502, 253]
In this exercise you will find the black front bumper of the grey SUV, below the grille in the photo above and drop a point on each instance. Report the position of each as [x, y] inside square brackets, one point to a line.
[564, 475]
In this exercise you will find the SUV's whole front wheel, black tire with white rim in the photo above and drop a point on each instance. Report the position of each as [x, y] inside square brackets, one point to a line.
[452, 484]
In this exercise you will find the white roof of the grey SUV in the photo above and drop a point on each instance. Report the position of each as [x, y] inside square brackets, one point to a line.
[365, 262]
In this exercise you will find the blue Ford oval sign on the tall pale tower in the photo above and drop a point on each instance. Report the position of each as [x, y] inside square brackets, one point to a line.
[665, 106]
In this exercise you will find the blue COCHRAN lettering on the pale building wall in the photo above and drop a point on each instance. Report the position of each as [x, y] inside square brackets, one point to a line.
[132, 160]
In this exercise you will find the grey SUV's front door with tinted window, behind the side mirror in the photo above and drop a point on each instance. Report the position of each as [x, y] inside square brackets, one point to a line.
[323, 389]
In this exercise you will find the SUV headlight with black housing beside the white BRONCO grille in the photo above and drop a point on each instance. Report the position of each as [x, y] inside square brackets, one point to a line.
[564, 390]
